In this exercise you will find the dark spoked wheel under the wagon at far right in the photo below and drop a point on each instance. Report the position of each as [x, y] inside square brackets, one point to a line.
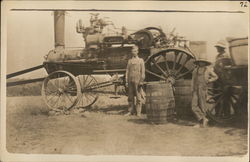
[223, 101]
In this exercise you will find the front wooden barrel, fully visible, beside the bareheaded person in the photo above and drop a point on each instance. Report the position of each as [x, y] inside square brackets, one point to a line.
[160, 103]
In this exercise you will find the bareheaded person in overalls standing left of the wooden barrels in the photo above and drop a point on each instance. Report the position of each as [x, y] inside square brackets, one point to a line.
[135, 75]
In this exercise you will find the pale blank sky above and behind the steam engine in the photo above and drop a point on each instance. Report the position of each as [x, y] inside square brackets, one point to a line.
[30, 35]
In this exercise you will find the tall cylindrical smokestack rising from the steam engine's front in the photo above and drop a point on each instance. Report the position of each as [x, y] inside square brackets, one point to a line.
[59, 23]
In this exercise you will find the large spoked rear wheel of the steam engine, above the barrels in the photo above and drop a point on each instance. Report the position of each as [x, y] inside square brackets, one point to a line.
[170, 65]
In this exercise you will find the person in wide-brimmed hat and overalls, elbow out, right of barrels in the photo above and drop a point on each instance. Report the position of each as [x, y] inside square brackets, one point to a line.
[201, 76]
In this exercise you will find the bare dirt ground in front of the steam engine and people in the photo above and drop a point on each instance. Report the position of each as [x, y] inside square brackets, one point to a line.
[105, 131]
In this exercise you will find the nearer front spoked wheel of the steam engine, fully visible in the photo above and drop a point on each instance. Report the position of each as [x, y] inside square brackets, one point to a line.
[60, 90]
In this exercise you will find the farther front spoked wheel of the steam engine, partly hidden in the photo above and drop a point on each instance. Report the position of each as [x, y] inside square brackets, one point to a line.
[88, 95]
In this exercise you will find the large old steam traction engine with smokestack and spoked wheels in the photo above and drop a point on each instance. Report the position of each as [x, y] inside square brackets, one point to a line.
[71, 78]
